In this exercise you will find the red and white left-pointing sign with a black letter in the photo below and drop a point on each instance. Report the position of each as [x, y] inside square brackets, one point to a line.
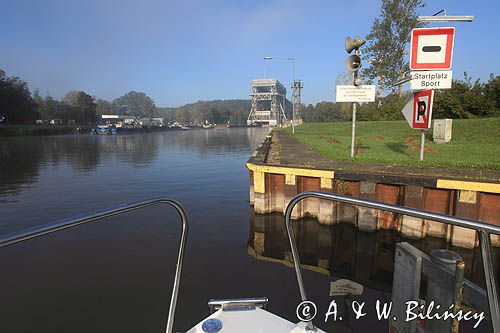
[418, 110]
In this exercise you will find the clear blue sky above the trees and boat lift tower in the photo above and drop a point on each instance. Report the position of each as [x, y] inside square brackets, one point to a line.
[183, 51]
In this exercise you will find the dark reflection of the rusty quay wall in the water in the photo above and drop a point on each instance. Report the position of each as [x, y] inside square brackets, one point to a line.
[342, 251]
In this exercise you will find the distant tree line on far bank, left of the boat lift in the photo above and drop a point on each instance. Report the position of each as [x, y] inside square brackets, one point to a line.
[19, 106]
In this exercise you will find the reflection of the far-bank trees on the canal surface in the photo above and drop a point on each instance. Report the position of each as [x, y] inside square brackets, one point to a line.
[23, 158]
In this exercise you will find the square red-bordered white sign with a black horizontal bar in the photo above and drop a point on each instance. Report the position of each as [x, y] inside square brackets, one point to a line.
[431, 48]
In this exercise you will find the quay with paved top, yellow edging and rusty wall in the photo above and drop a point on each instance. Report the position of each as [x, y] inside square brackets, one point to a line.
[282, 167]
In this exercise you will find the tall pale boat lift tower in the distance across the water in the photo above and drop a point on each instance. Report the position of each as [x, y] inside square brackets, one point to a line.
[268, 103]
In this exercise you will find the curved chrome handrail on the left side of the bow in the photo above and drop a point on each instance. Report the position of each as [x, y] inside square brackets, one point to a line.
[49, 228]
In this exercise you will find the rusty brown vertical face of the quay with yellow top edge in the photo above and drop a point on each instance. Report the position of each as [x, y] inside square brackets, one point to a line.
[272, 187]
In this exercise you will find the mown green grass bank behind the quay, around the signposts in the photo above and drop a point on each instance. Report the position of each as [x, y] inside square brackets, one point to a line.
[475, 143]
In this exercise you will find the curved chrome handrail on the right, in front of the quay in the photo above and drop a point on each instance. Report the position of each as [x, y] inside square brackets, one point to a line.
[484, 230]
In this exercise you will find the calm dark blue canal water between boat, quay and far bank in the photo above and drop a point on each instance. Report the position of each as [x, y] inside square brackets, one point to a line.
[117, 276]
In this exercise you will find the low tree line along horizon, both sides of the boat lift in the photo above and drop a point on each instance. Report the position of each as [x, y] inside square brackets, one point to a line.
[466, 99]
